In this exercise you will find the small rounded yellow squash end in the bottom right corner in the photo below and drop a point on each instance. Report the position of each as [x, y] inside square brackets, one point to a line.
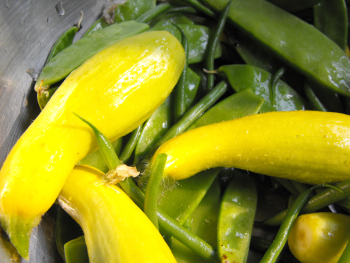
[319, 237]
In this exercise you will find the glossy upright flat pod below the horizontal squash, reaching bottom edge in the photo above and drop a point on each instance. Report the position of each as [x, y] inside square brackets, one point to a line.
[236, 218]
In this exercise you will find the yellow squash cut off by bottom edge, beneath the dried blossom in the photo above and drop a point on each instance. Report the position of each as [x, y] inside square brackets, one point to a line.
[115, 229]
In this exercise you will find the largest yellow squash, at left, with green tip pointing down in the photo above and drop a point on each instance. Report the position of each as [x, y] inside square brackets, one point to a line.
[116, 90]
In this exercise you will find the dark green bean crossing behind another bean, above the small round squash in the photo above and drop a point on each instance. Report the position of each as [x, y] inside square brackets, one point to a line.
[317, 202]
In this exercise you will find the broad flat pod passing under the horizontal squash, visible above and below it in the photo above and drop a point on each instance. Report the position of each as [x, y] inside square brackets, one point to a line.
[179, 202]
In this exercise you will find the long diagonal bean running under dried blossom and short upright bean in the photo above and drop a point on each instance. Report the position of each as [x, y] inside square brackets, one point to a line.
[166, 223]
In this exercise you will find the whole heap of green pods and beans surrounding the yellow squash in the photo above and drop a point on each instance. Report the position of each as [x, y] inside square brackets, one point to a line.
[243, 57]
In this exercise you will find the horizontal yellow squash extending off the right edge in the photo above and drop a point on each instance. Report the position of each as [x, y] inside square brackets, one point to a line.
[306, 146]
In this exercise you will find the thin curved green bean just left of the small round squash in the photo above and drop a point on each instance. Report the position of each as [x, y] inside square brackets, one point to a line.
[280, 240]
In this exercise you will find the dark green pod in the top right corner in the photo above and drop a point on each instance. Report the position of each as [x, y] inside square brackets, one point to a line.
[330, 17]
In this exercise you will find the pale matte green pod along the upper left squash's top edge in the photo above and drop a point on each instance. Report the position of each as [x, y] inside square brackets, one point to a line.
[73, 56]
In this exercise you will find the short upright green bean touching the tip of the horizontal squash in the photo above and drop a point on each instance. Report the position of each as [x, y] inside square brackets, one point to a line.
[153, 189]
